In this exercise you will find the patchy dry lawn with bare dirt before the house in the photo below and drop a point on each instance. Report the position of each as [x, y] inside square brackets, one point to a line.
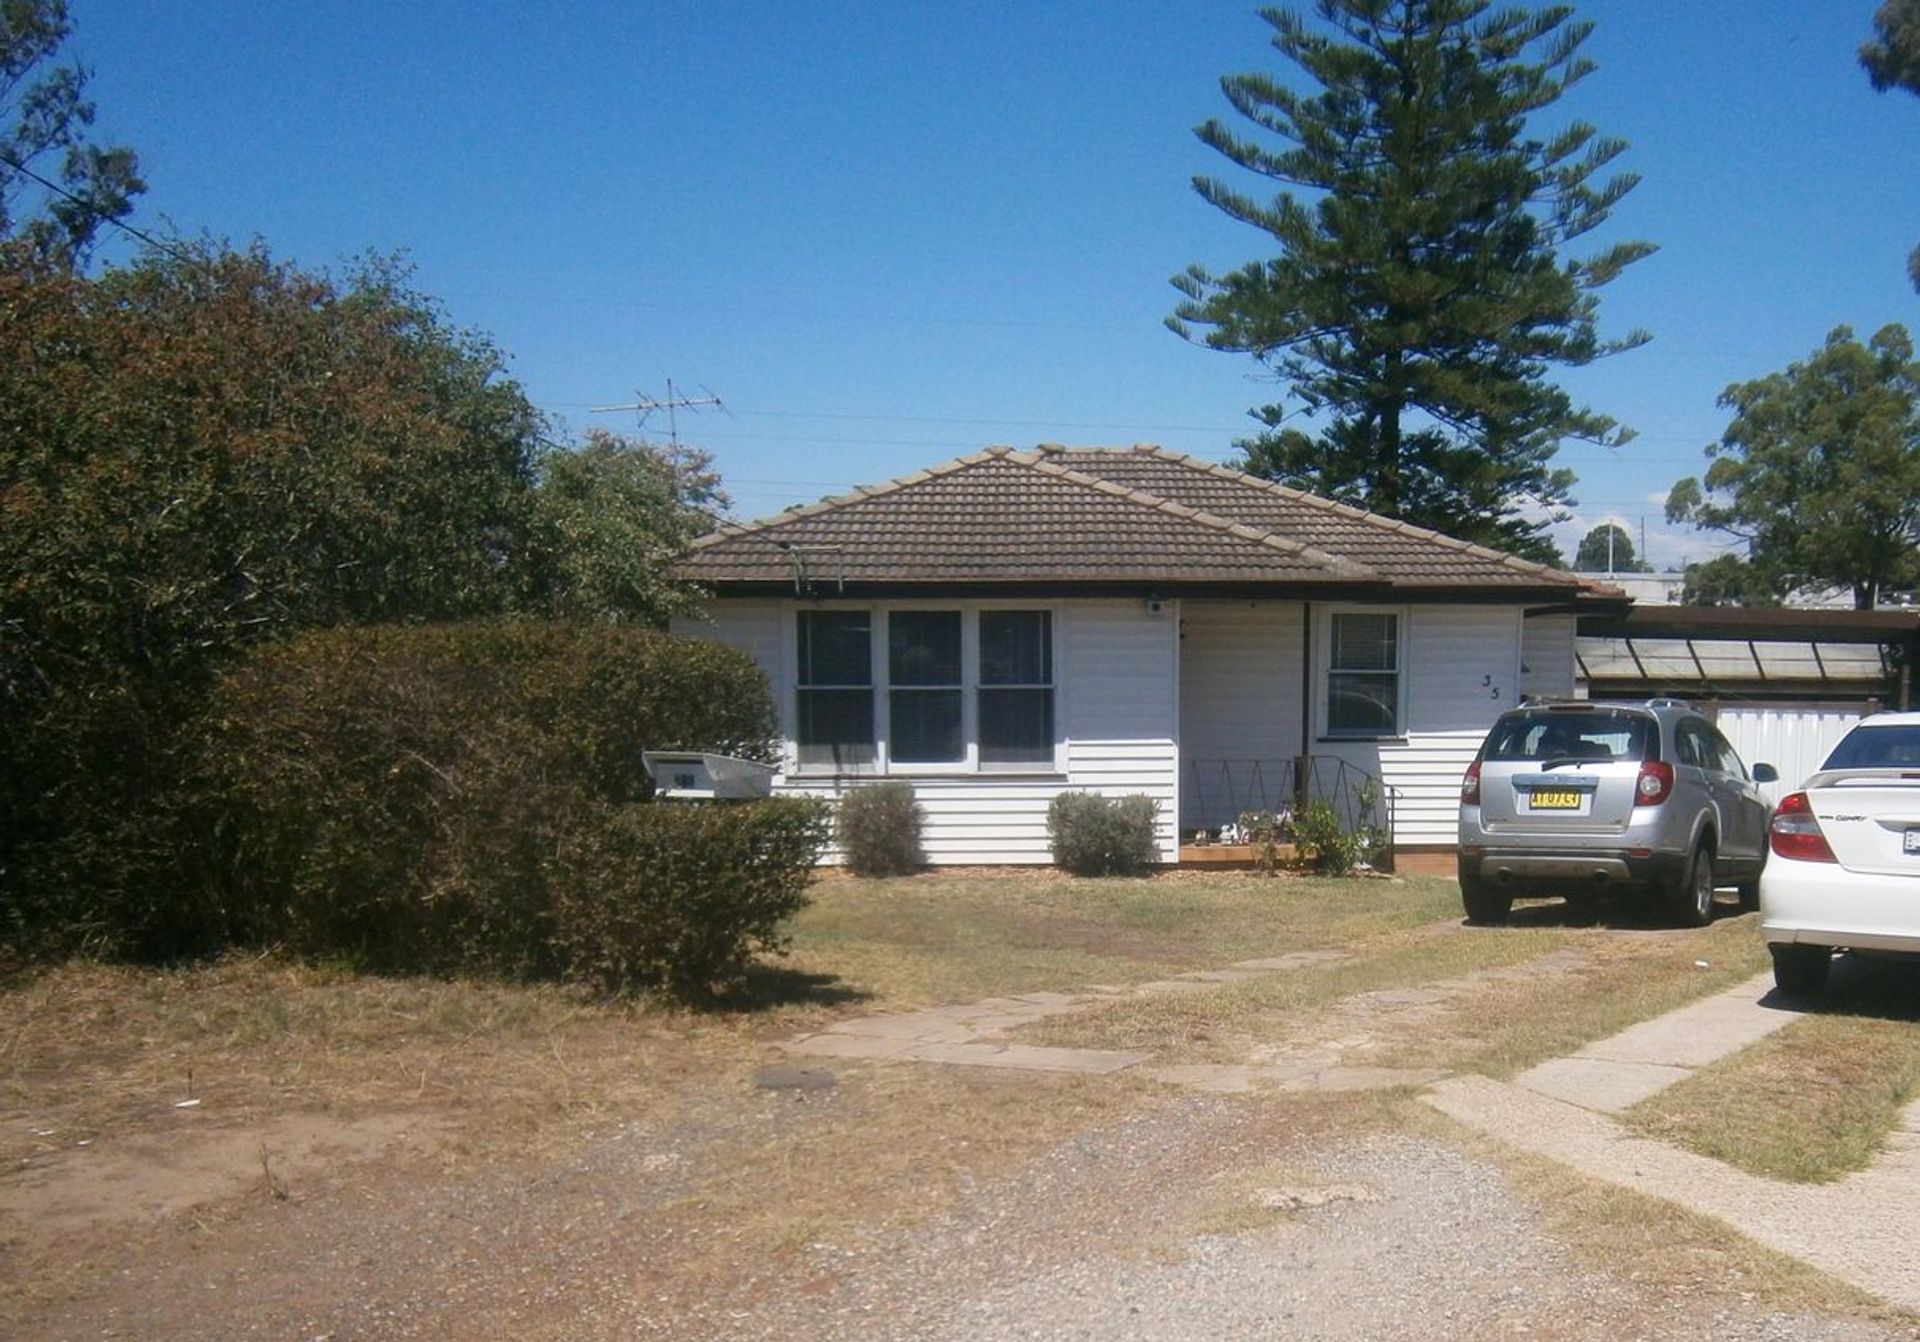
[327, 1143]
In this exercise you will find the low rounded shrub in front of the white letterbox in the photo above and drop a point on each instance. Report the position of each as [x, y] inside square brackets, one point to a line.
[677, 898]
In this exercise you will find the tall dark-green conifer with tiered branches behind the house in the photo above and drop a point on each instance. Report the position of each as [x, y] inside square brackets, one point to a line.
[1420, 295]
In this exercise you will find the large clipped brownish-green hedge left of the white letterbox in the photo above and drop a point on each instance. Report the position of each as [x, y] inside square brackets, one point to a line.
[398, 794]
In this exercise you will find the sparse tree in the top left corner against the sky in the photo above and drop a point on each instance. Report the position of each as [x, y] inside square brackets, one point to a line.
[43, 139]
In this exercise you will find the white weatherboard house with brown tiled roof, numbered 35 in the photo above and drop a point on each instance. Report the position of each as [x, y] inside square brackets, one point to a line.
[1015, 625]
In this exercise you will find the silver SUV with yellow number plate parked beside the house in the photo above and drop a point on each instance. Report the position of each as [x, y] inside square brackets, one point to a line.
[1585, 798]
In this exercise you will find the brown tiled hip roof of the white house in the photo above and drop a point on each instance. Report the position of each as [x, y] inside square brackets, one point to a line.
[1099, 515]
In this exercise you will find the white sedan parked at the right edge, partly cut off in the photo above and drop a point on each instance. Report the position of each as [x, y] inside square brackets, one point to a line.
[1844, 873]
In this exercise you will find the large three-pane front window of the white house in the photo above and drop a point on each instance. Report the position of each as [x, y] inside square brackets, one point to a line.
[926, 690]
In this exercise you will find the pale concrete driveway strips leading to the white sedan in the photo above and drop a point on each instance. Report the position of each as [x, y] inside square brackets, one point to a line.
[1861, 1230]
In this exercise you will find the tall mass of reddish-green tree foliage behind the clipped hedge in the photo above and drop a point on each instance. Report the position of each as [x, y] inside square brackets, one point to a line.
[208, 450]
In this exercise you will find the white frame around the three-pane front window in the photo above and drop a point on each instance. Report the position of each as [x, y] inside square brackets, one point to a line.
[884, 765]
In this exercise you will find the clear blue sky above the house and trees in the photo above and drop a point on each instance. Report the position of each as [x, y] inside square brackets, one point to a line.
[894, 233]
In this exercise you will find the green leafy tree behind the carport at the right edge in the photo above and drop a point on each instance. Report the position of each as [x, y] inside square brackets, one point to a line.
[1819, 471]
